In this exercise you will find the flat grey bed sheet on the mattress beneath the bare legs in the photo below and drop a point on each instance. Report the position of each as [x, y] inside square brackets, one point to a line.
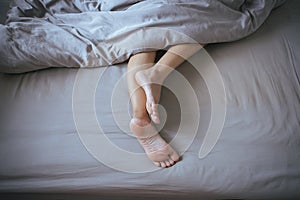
[44, 154]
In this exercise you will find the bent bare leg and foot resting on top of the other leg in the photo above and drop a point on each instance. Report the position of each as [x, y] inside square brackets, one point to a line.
[152, 78]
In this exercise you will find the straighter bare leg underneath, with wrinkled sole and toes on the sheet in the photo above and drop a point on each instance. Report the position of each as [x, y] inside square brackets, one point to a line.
[157, 150]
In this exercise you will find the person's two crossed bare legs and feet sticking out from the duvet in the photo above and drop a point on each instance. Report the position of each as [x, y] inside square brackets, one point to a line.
[144, 80]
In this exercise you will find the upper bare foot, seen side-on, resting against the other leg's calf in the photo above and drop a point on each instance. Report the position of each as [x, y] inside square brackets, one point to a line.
[151, 82]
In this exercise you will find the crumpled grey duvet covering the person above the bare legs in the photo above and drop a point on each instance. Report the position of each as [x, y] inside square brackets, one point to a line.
[59, 33]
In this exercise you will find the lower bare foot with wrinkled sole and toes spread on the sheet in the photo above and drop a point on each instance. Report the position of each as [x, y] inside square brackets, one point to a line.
[156, 148]
